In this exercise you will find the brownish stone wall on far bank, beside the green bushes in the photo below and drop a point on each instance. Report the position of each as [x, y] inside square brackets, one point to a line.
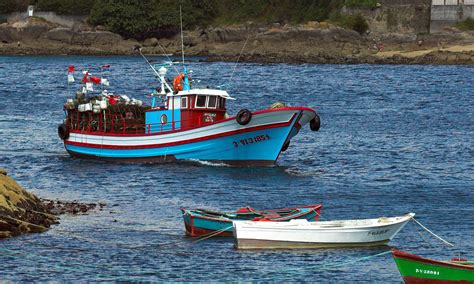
[397, 16]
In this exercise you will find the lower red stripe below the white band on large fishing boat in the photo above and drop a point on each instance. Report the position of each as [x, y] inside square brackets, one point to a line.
[233, 132]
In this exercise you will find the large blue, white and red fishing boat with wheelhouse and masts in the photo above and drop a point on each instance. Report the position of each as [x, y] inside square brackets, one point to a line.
[189, 124]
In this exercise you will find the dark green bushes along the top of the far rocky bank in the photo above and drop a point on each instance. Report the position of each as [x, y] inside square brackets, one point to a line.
[145, 18]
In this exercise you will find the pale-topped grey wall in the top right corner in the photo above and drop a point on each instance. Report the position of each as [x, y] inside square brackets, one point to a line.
[445, 13]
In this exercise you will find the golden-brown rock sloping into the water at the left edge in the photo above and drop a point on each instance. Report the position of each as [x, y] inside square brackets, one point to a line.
[20, 211]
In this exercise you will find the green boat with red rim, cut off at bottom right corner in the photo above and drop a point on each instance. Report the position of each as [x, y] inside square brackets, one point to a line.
[416, 269]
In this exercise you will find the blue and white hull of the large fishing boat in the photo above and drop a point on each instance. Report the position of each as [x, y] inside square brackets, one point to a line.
[258, 143]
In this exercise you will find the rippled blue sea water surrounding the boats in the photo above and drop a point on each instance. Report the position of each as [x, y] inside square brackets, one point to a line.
[394, 139]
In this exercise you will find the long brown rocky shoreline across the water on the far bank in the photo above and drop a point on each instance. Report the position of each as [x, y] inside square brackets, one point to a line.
[313, 42]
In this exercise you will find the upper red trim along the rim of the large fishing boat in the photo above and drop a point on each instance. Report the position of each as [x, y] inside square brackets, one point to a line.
[191, 128]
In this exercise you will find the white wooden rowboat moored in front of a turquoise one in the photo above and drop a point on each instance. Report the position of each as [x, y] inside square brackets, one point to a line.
[321, 234]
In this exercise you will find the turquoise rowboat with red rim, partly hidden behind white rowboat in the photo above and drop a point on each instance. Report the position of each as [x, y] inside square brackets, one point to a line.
[204, 222]
